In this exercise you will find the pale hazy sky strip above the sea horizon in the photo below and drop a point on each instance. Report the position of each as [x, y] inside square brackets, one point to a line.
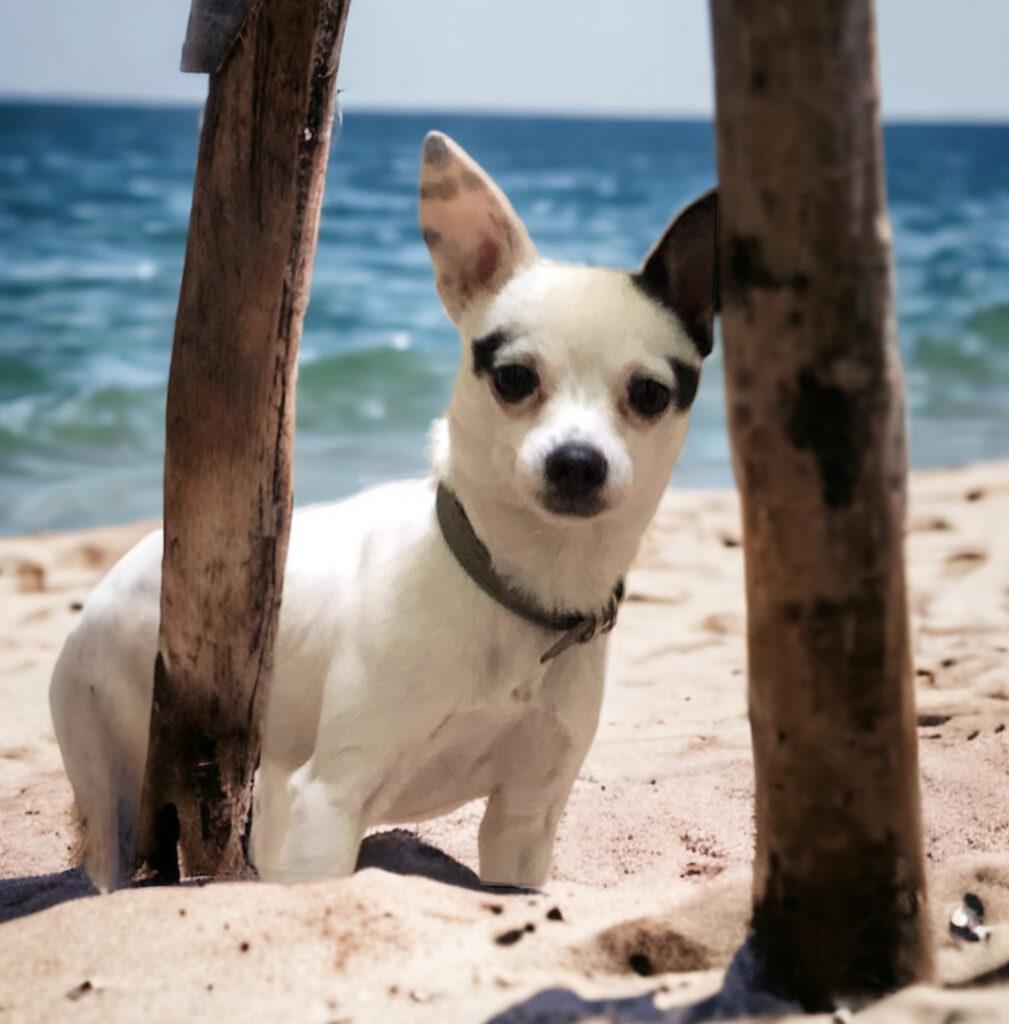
[942, 59]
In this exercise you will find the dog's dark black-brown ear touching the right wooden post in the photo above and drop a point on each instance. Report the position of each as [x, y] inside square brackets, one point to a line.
[682, 272]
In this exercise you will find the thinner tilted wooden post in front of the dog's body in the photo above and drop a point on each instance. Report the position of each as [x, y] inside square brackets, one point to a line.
[231, 416]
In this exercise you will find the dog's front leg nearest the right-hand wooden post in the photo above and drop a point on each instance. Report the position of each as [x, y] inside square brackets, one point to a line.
[538, 763]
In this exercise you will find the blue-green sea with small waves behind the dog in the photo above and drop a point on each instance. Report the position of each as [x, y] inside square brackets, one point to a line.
[94, 210]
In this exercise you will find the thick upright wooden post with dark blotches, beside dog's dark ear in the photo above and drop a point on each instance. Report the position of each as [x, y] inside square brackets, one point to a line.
[817, 418]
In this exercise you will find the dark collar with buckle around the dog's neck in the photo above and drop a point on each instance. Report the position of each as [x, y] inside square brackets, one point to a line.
[473, 556]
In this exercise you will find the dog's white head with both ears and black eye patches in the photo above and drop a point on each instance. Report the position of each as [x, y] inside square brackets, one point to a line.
[576, 382]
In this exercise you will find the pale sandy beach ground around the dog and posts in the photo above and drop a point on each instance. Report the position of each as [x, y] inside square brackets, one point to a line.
[651, 887]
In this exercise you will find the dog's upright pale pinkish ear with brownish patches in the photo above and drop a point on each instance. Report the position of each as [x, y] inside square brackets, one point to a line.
[475, 237]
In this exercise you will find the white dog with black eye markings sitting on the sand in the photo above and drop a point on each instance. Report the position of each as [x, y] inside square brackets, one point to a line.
[441, 641]
